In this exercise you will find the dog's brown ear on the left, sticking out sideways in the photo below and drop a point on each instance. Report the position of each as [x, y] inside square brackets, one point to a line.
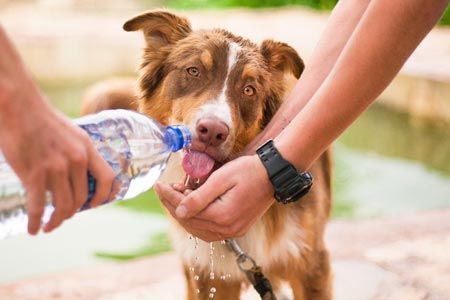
[160, 27]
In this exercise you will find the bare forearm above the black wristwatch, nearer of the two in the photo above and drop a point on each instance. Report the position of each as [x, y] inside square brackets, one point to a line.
[386, 36]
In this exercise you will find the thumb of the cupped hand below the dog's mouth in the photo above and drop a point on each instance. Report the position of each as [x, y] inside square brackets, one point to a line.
[215, 186]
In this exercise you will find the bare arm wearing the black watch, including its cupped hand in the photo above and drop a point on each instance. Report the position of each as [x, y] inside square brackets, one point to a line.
[384, 38]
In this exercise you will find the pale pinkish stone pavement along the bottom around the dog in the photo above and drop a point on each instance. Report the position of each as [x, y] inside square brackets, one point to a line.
[385, 259]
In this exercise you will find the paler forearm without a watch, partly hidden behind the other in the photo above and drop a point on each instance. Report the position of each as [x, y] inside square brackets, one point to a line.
[345, 16]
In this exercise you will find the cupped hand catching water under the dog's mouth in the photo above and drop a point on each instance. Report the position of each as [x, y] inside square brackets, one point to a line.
[231, 200]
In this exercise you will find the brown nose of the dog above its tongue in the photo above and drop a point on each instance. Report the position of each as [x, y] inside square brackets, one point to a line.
[212, 132]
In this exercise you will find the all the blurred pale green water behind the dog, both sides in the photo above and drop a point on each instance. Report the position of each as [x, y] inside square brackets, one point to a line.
[383, 165]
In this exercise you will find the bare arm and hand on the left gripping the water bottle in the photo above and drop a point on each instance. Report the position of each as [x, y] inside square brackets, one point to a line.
[47, 152]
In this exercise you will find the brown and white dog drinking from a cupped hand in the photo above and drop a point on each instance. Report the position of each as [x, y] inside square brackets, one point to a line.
[226, 89]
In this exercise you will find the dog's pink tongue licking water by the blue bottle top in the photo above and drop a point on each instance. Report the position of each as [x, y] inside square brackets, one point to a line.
[197, 164]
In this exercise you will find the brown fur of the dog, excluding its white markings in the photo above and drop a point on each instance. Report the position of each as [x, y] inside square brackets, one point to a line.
[169, 95]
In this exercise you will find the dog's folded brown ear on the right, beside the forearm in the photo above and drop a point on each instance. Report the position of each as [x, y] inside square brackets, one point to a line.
[282, 57]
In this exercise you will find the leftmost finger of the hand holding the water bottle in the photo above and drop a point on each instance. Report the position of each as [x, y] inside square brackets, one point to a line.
[35, 204]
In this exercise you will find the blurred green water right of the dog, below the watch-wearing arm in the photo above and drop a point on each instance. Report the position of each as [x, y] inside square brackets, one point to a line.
[385, 165]
